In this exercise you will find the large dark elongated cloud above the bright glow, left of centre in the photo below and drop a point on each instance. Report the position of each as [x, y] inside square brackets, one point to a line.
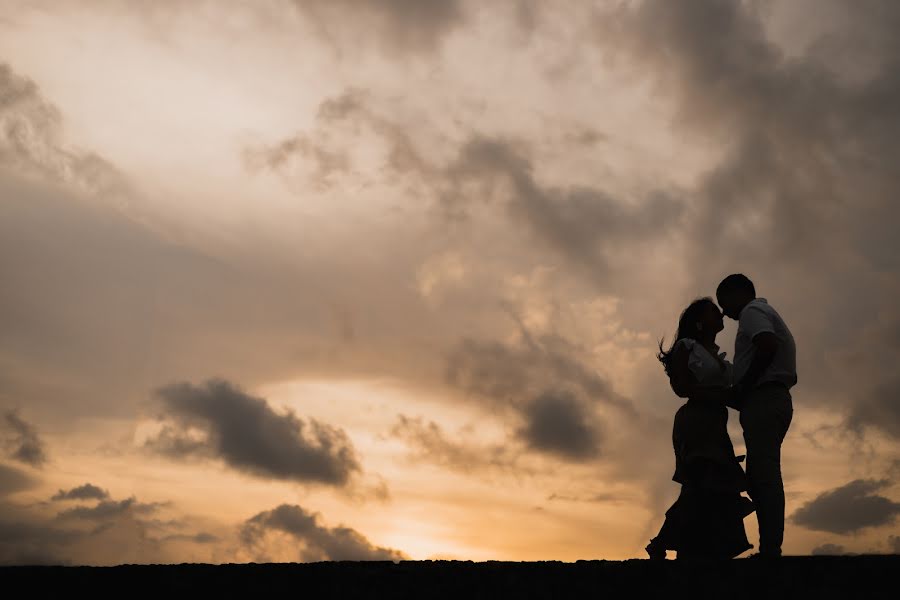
[246, 433]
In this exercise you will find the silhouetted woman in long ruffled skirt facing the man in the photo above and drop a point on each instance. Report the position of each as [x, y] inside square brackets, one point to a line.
[707, 519]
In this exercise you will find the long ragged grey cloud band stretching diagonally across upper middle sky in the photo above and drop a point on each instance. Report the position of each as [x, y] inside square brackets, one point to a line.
[586, 225]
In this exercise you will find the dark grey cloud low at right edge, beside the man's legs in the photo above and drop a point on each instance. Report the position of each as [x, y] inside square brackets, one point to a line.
[849, 508]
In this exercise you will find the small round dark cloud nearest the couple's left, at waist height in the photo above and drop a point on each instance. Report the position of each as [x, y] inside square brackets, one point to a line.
[557, 422]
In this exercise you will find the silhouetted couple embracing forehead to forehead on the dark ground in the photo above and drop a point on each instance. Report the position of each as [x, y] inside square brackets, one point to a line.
[707, 519]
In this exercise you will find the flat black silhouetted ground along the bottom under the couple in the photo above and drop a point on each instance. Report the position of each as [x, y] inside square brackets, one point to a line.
[818, 577]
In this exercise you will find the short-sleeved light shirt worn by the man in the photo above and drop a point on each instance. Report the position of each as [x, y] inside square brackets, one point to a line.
[758, 317]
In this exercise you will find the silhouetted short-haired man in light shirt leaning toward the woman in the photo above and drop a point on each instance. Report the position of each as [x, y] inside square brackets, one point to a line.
[764, 371]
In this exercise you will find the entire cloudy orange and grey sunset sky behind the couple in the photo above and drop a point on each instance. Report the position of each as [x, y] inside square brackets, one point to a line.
[382, 280]
